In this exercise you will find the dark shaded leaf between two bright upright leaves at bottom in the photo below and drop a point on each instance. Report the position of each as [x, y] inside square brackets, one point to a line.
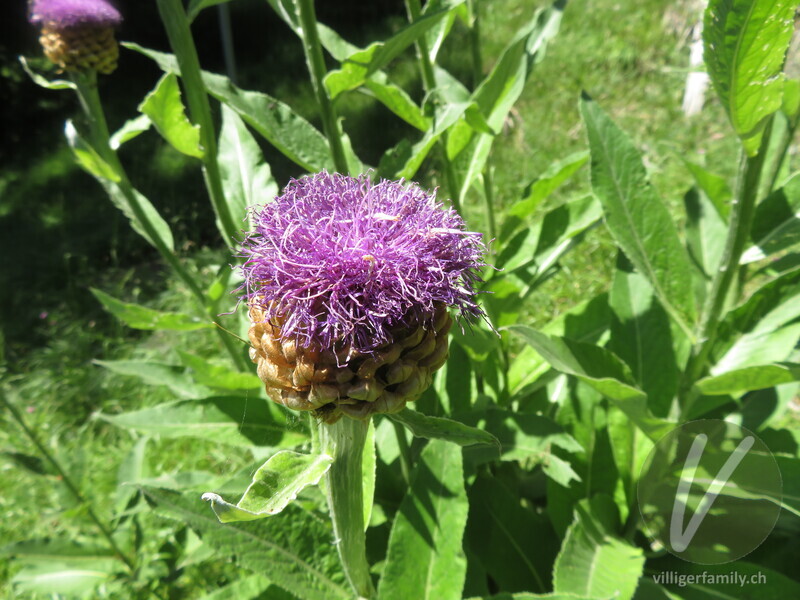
[516, 545]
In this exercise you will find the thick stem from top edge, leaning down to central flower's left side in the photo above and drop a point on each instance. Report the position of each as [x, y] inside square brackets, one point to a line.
[180, 39]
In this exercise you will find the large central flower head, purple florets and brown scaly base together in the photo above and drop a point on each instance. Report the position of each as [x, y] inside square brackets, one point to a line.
[348, 285]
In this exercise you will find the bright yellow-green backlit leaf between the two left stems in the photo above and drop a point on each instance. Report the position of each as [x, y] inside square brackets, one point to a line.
[164, 108]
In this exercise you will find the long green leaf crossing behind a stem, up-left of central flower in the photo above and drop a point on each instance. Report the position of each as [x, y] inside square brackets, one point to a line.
[292, 135]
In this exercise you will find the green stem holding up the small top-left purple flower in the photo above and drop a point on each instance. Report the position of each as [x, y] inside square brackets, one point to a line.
[86, 84]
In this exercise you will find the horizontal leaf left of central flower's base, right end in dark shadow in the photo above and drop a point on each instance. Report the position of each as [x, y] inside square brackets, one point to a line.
[226, 419]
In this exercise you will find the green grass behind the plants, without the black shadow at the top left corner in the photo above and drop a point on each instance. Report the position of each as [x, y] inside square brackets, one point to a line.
[622, 54]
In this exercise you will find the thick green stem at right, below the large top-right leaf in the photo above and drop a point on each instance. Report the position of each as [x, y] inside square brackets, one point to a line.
[741, 217]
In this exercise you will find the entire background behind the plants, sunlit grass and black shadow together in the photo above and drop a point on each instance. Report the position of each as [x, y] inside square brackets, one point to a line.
[59, 234]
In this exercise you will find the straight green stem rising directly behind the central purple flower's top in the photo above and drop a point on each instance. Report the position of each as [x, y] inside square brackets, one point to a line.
[317, 70]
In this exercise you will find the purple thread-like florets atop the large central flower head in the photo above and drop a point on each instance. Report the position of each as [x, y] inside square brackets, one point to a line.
[340, 261]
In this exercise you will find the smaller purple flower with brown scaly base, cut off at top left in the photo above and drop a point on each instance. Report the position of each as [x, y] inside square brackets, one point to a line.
[78, 34]
